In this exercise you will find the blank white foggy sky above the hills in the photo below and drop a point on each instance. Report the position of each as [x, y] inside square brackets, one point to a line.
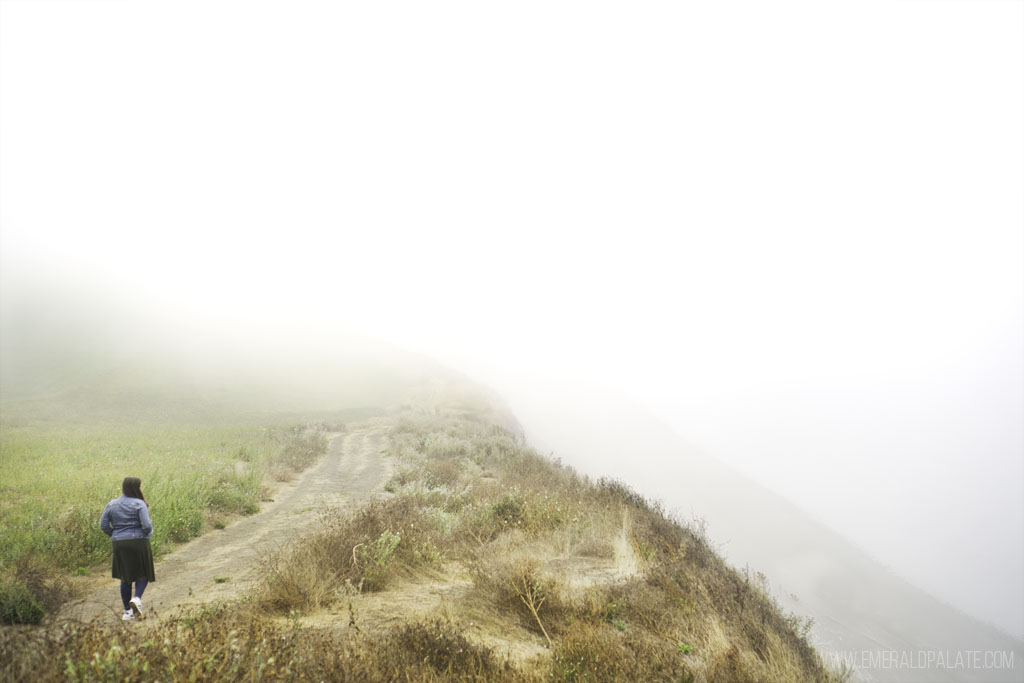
[795, 230]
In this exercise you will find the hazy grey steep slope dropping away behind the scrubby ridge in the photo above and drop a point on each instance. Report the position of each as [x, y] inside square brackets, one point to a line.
[861, 610]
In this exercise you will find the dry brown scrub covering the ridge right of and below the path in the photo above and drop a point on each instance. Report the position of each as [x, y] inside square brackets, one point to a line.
[484, 561]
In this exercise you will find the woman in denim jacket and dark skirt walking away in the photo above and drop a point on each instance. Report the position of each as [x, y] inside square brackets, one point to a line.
[126, 521]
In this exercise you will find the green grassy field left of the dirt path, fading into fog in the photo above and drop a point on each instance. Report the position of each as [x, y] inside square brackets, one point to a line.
[62, 460]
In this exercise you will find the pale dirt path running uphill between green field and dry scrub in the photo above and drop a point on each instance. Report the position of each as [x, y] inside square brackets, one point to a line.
[353, 469]
